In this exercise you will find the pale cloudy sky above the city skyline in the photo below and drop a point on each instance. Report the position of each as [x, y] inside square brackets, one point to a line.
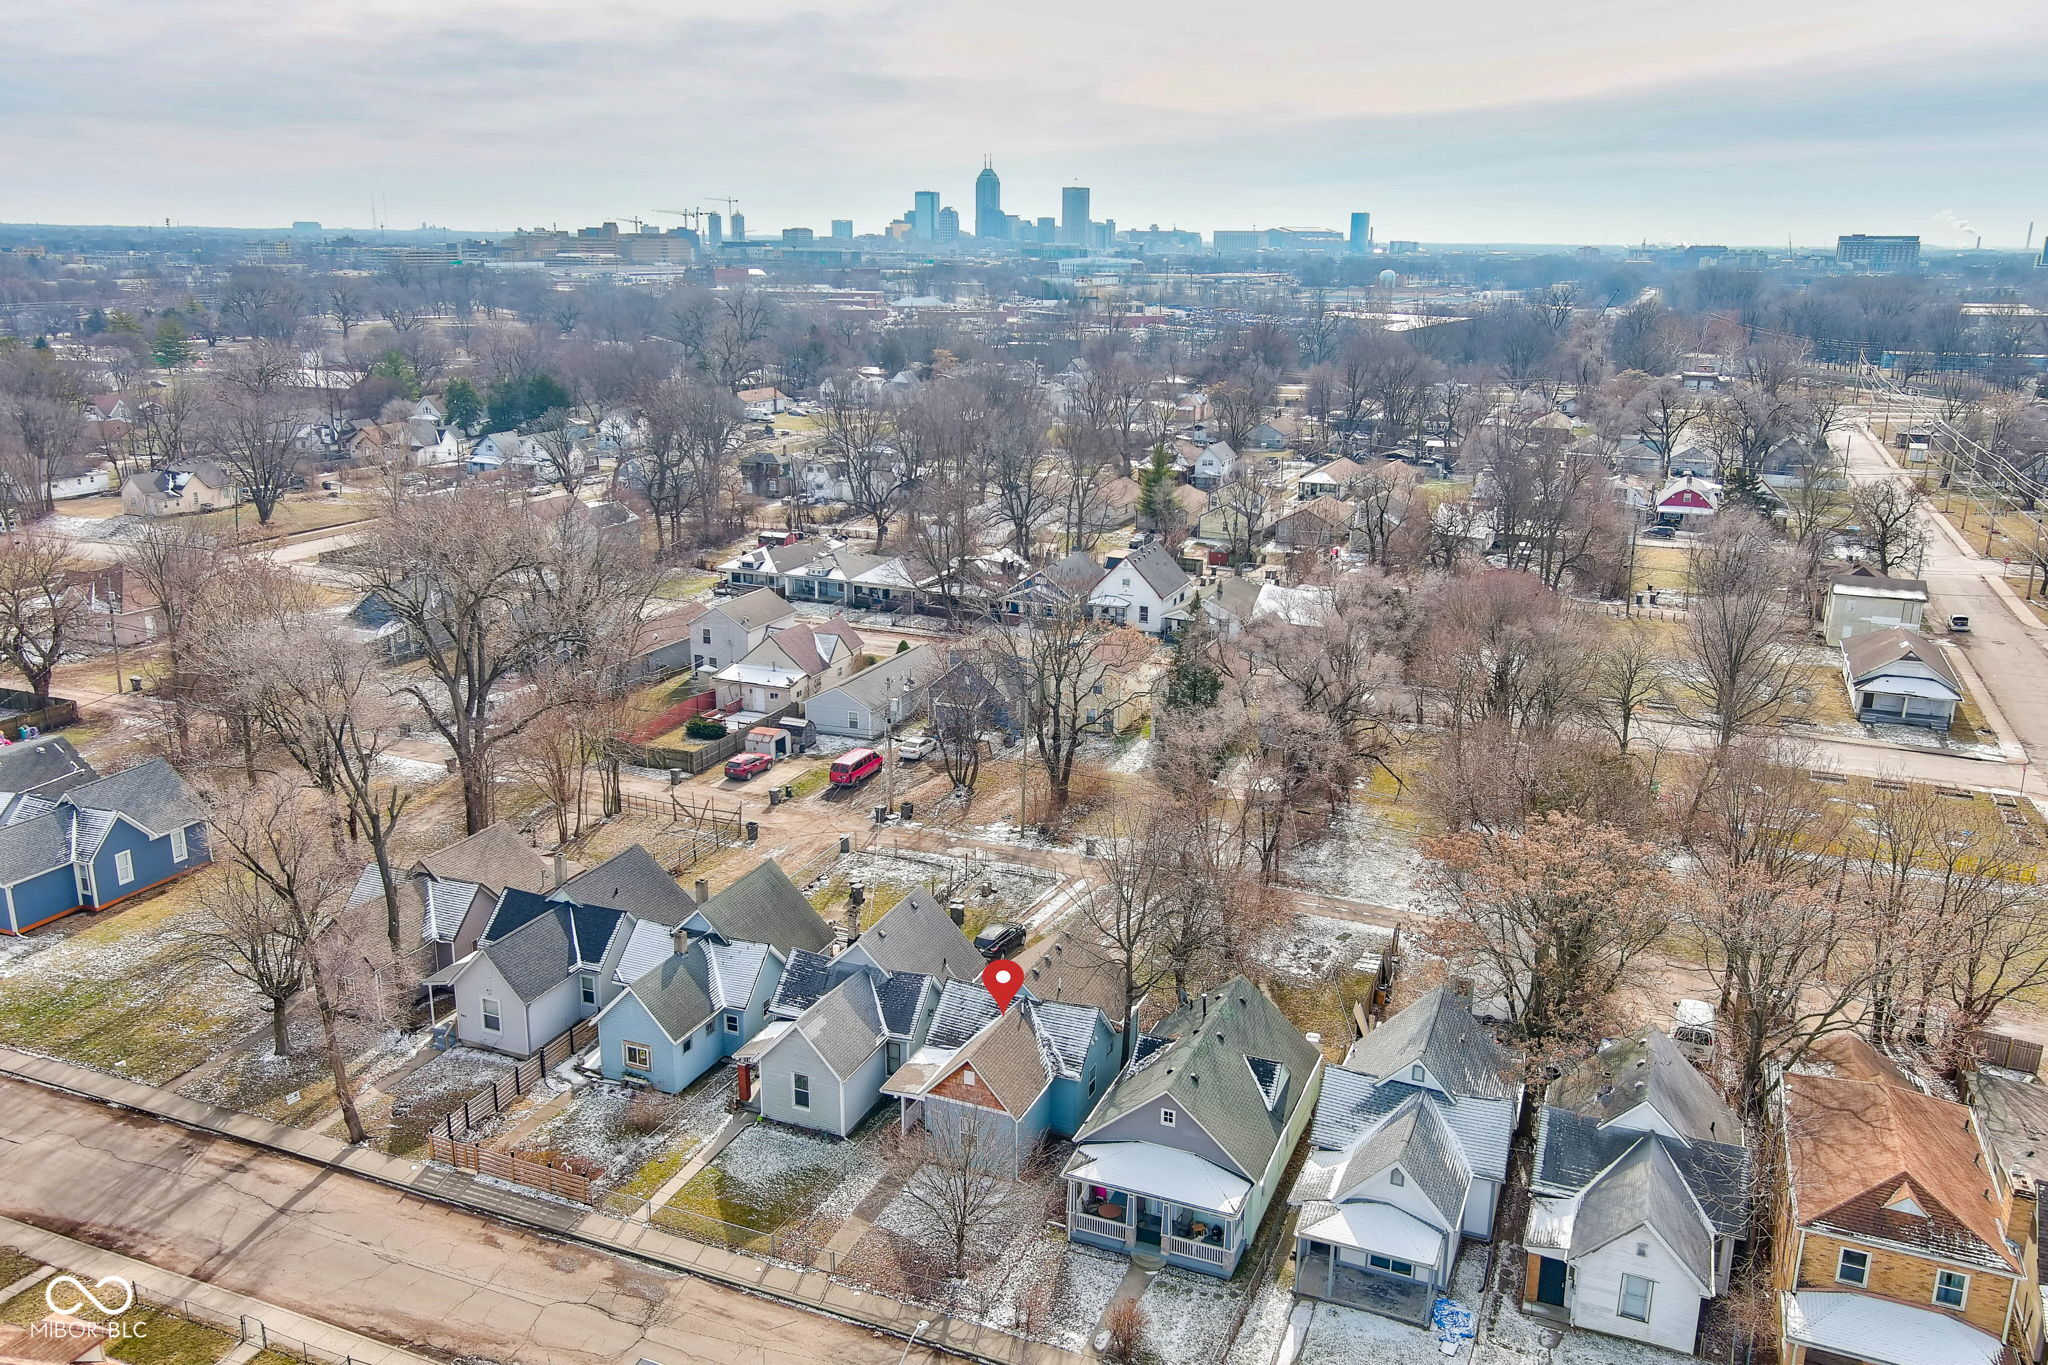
[1748, 122]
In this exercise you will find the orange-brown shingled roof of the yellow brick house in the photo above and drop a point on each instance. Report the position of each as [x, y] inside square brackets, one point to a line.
[1852, 1143]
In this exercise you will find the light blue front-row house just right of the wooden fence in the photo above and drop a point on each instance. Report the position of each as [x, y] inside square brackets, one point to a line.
[693, 996]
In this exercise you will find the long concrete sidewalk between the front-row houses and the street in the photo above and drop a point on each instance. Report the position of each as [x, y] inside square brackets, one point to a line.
[798, 1286]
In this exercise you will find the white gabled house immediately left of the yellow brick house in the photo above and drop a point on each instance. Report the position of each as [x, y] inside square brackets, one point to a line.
[1639, 1194]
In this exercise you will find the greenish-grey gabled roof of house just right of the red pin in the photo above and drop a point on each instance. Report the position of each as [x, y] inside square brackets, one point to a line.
[1205, 1073]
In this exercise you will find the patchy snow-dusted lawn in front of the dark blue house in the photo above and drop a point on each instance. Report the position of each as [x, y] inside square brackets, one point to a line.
[114, 998]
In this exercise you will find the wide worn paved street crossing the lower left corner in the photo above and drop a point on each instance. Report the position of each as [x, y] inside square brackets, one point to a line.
[366, 1258]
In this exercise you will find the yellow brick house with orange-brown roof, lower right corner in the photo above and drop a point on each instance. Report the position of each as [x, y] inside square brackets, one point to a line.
[1902, 1239]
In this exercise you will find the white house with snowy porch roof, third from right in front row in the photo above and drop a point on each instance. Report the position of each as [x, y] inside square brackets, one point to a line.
[1408, 1157]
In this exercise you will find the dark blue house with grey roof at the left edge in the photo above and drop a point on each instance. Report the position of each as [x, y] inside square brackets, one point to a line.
[95, 844]
